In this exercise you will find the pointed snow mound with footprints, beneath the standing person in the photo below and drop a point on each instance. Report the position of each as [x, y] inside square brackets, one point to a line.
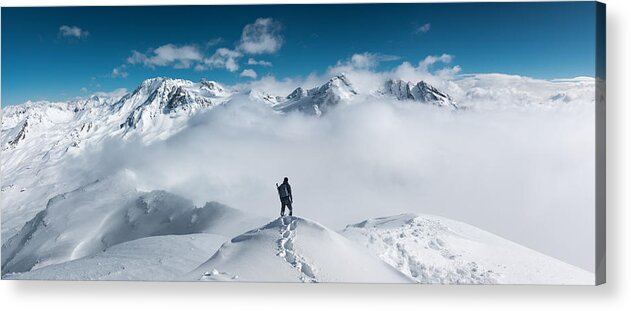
[294, 249]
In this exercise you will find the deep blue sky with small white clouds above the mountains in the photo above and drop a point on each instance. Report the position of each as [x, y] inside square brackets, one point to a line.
[57, 53]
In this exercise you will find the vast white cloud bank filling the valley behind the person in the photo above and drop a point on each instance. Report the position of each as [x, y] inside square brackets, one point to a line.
[506, 171]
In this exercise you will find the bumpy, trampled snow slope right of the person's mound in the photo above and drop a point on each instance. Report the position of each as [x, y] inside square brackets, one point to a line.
[432, 249]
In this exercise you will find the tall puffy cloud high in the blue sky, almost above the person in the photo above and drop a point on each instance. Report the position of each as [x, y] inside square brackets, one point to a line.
[261, 37]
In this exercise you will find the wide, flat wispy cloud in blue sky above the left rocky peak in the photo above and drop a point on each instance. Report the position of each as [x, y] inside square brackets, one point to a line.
[167, 55]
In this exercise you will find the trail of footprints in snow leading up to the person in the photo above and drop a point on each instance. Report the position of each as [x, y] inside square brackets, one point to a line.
[287, 251]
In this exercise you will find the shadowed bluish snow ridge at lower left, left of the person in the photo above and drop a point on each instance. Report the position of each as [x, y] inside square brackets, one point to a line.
[108, 212]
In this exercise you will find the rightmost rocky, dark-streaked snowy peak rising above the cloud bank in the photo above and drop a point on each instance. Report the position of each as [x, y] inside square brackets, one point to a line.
[420, 92]
